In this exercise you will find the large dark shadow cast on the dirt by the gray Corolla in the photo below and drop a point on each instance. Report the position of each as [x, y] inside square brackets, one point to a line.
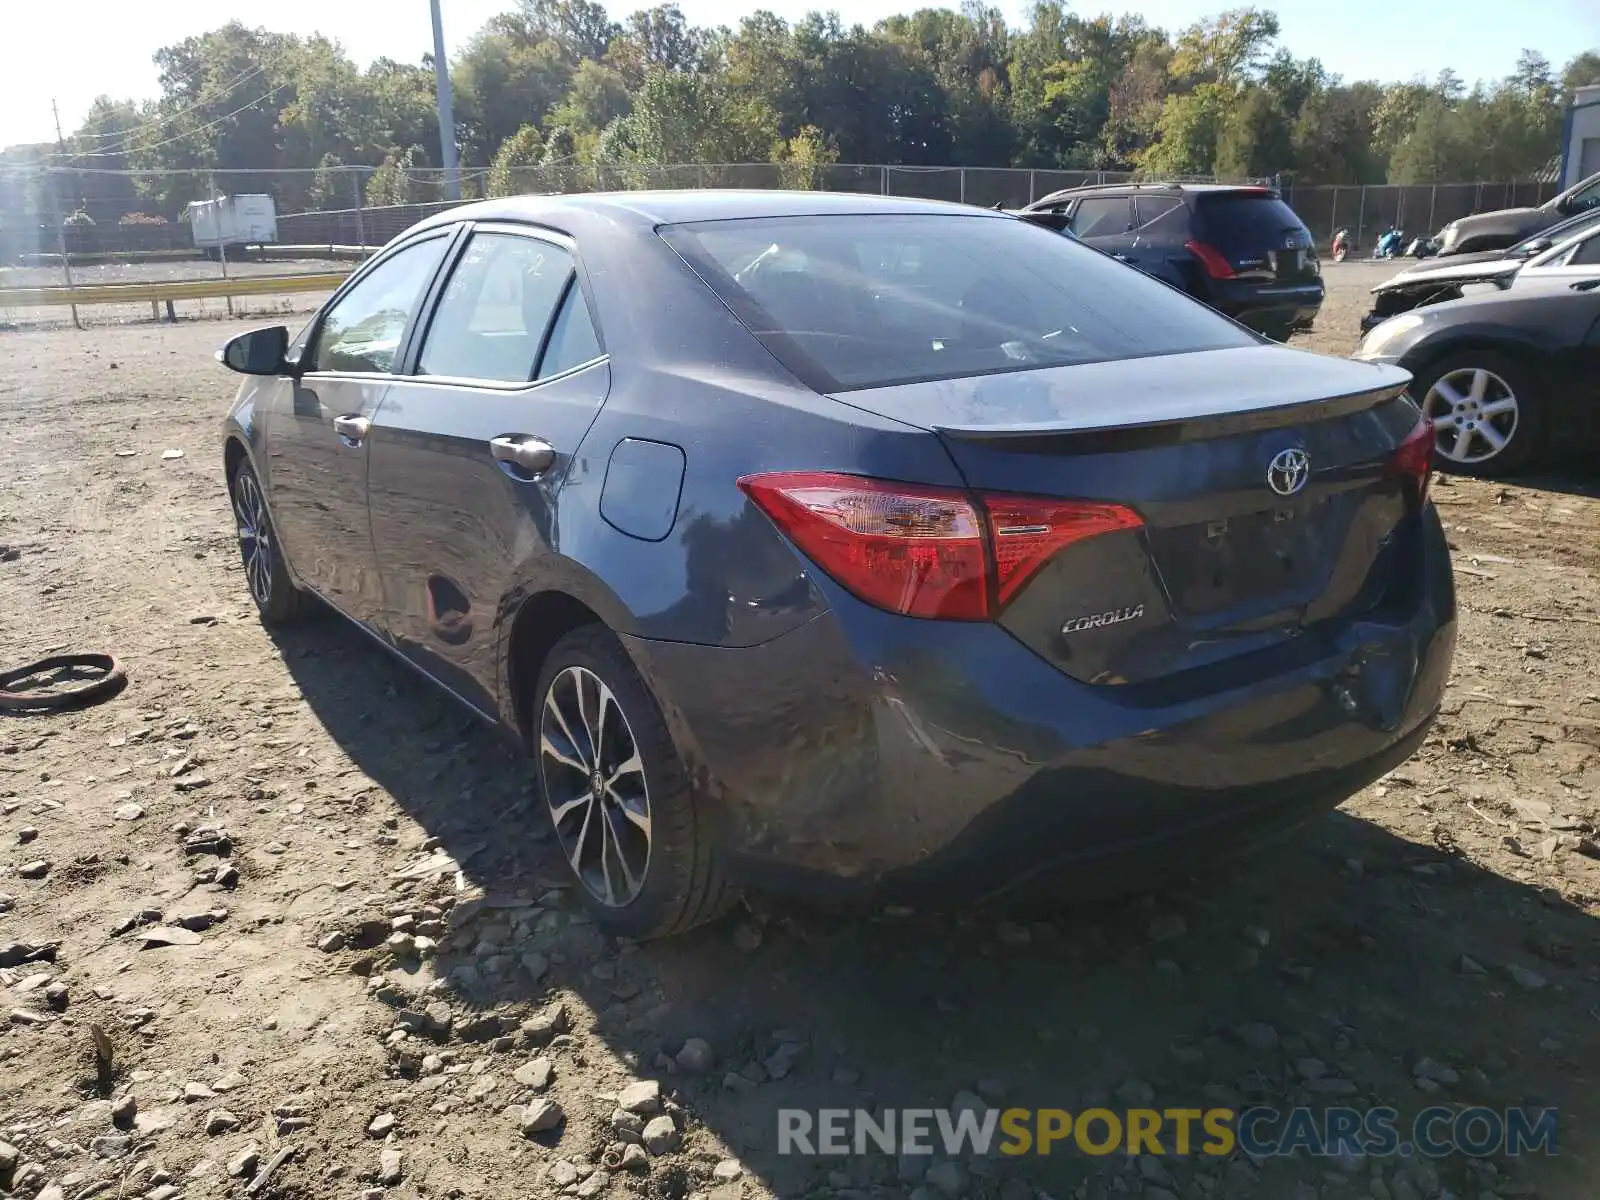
[1319, 974]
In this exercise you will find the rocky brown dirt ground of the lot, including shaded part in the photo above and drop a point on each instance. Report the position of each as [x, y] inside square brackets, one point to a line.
[383, 974]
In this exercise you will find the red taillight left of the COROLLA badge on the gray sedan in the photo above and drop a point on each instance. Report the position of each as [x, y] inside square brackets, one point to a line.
[926, 551]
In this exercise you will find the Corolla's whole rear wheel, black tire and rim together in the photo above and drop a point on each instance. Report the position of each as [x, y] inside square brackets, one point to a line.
[642, 855]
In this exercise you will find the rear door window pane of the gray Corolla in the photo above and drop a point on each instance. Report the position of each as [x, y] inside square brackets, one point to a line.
[492, 316]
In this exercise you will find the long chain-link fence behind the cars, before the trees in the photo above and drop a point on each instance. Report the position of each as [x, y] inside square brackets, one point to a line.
[110, 226]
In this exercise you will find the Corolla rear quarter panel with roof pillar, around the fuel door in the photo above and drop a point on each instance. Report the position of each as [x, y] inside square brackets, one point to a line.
[689, 375]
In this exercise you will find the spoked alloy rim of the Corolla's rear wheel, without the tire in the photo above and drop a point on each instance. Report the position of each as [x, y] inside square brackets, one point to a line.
[594, 783]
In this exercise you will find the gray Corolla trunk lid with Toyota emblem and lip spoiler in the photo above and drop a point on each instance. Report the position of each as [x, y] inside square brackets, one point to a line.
[1265, 479]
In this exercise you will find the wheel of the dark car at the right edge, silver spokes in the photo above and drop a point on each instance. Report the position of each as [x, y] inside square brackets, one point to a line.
[1489, 412]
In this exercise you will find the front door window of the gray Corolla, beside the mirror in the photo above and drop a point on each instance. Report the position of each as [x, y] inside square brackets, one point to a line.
[364, 329]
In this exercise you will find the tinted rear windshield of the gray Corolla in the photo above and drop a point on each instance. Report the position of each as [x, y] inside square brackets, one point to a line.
[876, 300]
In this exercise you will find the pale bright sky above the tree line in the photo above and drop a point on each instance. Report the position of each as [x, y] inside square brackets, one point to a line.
[110, 46]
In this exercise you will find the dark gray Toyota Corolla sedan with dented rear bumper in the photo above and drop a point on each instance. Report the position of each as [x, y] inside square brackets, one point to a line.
[850, 545]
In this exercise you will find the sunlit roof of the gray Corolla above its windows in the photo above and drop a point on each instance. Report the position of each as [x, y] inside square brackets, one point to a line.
[673, 207]
